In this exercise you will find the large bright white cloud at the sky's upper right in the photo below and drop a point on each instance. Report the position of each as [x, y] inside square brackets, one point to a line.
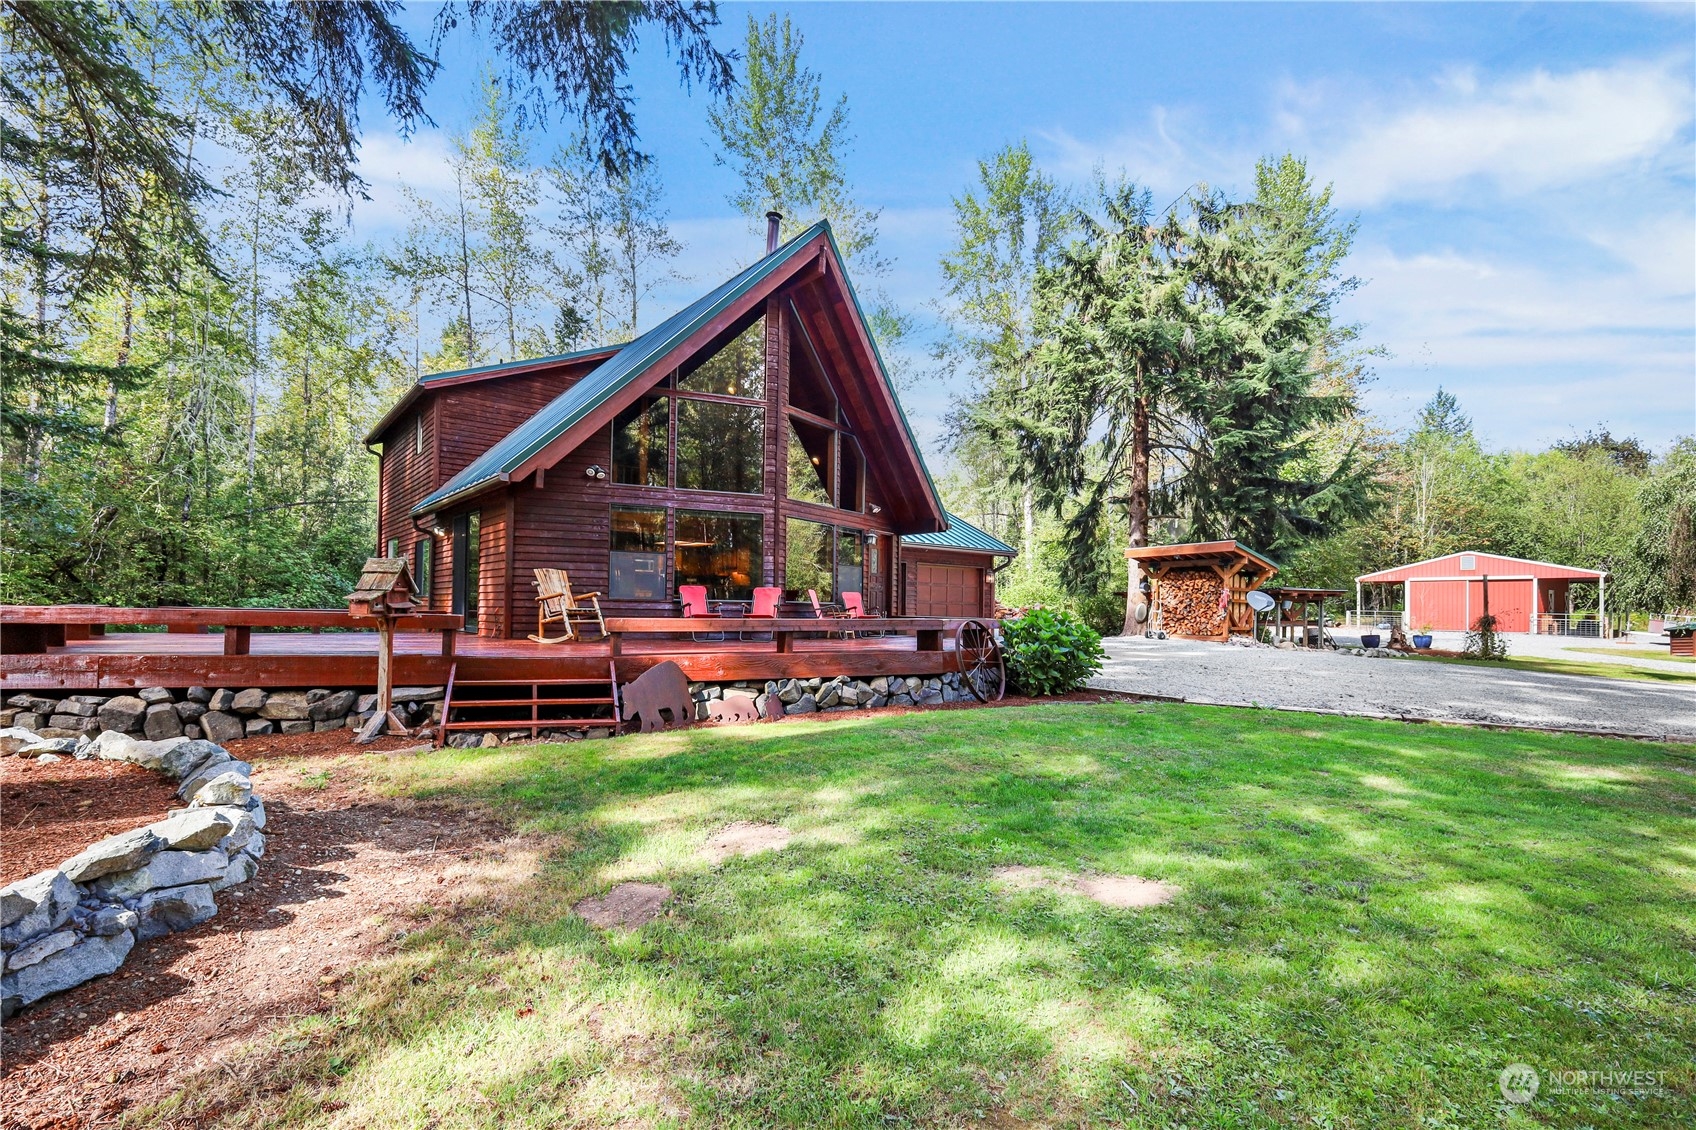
[1520, 135]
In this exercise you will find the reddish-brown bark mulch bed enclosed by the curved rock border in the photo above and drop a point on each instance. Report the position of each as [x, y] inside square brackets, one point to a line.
[52, 812]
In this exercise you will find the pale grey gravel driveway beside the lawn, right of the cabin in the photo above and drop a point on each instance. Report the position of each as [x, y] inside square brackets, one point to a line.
[1325, 681]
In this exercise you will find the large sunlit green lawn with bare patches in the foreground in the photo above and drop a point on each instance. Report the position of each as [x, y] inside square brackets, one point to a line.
[1375, 920]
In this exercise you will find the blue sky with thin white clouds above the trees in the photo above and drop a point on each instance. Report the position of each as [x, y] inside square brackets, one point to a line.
[1524, 176]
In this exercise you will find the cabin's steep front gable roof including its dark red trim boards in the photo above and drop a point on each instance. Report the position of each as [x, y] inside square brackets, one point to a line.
[620, 381]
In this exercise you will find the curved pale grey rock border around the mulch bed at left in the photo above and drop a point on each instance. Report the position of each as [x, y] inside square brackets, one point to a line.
[81, 920]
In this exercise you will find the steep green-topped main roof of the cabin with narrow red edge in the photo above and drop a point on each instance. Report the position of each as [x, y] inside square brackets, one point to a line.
[625, 371]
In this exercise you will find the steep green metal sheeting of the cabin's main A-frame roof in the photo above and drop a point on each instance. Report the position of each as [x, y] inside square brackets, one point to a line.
[627, 366]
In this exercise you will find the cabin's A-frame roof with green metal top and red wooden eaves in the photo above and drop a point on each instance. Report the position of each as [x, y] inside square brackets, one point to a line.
[810, 260]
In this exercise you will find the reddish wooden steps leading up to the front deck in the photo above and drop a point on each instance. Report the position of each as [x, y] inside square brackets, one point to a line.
[535, 705]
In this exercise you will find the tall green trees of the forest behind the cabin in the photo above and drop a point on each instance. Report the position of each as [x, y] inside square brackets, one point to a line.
[196, 345]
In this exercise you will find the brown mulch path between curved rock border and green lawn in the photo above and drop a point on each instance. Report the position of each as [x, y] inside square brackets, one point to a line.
[345, 876]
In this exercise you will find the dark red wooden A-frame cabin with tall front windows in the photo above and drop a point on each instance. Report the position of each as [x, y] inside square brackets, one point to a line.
[749, 440]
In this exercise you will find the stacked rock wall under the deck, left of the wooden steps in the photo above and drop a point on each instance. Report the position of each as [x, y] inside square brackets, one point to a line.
[221, 715]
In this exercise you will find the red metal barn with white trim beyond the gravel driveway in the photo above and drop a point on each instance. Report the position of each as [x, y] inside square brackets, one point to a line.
[1448, 593]
